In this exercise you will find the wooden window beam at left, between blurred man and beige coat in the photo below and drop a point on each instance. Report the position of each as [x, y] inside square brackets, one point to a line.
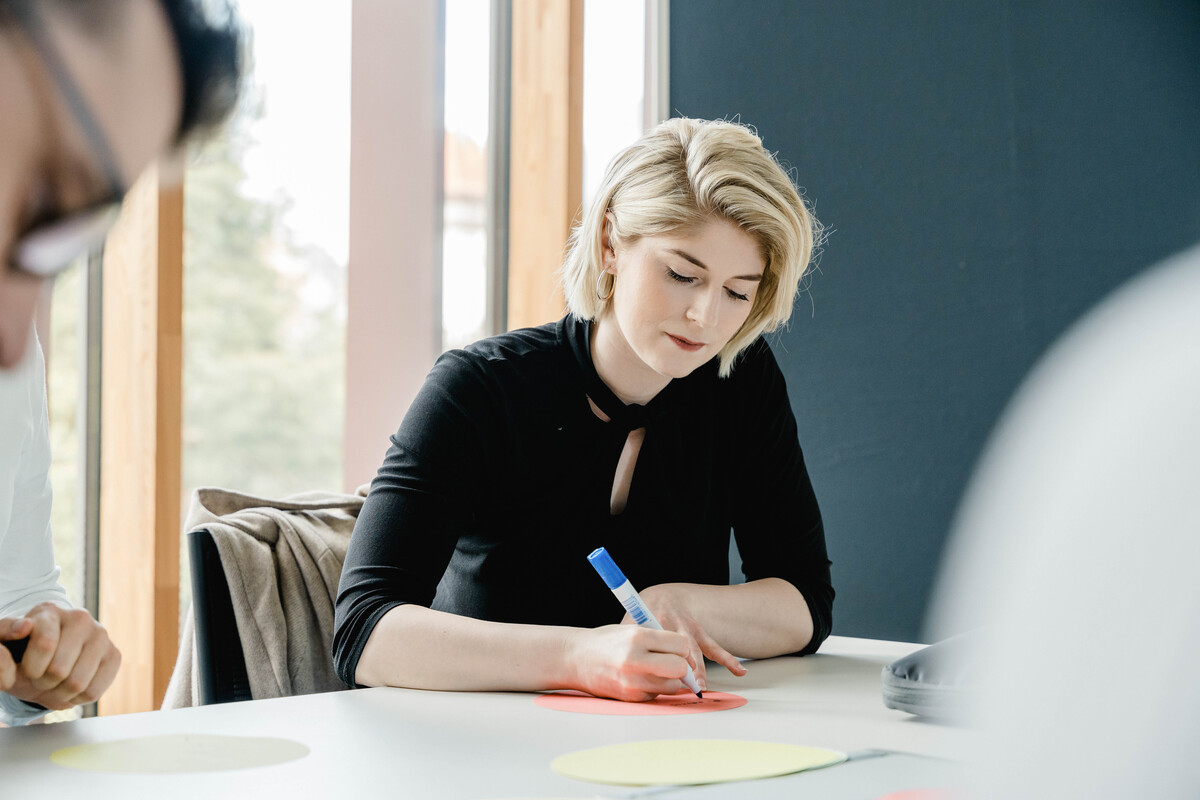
[141, 454]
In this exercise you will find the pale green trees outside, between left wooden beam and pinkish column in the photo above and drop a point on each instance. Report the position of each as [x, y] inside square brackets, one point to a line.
[265, 369]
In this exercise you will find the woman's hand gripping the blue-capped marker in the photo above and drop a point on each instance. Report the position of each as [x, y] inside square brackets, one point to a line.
[629, 663]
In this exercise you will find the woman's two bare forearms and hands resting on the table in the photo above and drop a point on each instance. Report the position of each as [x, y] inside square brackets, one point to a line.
[419, 648]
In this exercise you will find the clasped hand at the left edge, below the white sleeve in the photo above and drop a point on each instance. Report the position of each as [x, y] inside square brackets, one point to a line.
[70, 659]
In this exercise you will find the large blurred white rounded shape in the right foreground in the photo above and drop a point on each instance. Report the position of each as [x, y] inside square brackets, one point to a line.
[1076, 556]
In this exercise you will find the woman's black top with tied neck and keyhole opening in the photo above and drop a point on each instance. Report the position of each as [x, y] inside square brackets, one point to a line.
[499, 484]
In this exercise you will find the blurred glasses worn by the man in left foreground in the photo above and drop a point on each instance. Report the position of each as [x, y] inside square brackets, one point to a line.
[51, 248]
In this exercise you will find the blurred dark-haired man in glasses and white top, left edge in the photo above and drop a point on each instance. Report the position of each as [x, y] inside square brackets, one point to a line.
[92, 92]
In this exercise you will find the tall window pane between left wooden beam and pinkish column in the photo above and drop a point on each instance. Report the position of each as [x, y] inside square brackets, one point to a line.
[267, 226]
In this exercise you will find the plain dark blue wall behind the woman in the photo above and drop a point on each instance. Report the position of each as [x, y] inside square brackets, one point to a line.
[989, 170]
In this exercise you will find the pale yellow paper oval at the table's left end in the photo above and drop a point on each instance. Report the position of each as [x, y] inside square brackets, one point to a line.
[189, 753]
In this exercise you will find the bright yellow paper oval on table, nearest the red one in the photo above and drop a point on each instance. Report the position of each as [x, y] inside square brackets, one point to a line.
[691, 762]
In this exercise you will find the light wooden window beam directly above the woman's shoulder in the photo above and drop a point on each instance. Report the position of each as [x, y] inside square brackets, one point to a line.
[547, 153]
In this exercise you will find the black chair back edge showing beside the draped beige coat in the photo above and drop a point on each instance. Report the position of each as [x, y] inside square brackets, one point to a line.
[221, 664]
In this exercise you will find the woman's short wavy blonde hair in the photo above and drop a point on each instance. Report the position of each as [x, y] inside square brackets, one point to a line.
[675, 178]
